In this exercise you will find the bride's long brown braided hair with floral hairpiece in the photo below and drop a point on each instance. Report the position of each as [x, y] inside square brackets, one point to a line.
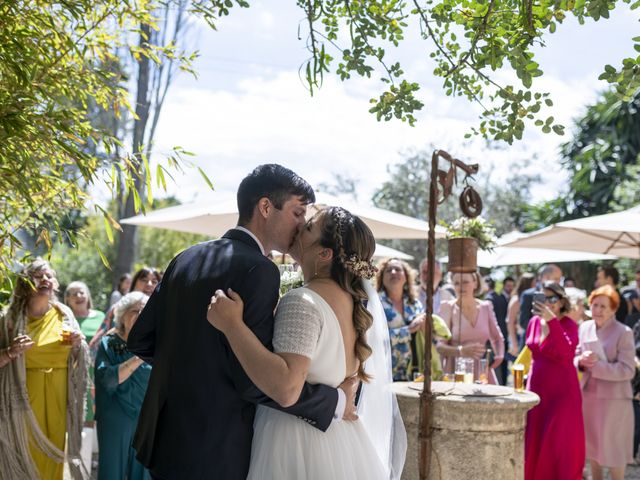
[353, 245]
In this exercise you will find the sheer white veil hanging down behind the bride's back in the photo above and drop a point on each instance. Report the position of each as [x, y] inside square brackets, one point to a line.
[377, 406]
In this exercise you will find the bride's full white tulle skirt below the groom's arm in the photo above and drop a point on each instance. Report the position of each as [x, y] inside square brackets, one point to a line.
[288, 448]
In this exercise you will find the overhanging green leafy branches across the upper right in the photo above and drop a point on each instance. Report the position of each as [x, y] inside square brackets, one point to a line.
[469, 41]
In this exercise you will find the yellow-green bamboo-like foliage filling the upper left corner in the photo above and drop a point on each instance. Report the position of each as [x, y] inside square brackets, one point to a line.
[56, 66]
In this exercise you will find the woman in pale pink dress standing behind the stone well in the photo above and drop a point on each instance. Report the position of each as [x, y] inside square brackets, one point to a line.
[472, 323]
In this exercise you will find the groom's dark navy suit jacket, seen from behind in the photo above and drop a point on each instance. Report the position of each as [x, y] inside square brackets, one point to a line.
[196, 421]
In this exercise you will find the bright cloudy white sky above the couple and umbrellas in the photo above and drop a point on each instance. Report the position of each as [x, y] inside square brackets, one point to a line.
[248, 106]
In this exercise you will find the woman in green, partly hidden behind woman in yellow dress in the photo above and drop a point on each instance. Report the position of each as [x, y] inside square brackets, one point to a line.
[78, 297]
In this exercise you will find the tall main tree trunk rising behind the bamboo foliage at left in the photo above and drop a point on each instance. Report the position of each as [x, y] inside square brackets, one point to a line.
[127, 245]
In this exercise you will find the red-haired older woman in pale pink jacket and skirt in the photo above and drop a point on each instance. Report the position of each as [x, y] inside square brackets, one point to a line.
[605, 356]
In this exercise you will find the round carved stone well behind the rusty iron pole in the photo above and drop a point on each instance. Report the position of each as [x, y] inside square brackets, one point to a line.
[473, 436]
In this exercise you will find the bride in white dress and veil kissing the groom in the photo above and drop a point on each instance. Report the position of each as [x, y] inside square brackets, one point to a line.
[322, 334]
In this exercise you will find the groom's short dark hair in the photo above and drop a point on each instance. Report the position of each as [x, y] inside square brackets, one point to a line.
[273, 181]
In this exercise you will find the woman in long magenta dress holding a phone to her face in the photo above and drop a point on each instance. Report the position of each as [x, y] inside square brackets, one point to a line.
[554, 439]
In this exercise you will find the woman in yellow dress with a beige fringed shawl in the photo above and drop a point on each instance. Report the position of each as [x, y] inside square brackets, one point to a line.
[43, 380]
